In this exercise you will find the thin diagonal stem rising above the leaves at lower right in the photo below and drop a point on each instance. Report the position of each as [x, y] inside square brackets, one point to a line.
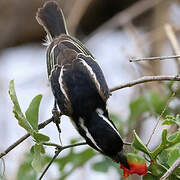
[162, 113]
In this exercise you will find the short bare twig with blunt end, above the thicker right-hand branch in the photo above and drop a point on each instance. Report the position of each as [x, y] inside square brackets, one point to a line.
[154, 58]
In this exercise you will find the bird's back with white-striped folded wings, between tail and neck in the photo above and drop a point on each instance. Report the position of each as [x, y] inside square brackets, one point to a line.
[77, 77]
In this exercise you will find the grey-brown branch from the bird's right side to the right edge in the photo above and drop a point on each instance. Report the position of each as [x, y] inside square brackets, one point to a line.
[146, 79]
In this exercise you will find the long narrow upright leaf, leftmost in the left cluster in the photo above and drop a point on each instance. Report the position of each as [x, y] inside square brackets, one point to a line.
[17, 110]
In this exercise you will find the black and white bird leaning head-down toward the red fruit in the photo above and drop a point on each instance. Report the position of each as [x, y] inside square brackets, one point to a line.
[79, 86]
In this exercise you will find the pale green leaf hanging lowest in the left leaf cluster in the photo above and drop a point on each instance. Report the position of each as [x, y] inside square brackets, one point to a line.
[38, 160]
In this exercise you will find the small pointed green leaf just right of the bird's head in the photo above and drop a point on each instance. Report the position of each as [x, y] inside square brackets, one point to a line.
[139, 145]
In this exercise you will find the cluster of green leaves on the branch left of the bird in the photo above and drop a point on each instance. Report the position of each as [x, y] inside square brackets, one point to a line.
[29, 122]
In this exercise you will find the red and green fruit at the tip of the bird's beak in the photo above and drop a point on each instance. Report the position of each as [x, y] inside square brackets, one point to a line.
[137, 165]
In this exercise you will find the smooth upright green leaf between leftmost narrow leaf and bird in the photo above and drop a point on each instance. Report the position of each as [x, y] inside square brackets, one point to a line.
[33, 111]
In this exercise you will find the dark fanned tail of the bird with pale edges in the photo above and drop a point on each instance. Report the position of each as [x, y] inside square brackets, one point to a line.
[51, 17]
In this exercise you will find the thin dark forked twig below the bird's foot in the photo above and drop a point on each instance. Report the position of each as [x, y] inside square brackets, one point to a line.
[60, 148]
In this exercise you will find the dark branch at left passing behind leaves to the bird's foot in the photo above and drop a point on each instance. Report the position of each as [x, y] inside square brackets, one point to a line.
[11, 147]
